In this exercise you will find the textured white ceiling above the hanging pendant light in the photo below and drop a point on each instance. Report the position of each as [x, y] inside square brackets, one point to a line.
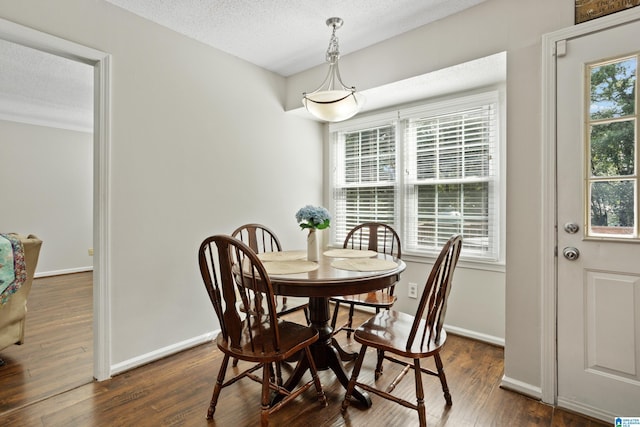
[289, 36]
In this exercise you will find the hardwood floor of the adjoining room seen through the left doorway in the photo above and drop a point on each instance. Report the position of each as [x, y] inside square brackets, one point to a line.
[57, 354]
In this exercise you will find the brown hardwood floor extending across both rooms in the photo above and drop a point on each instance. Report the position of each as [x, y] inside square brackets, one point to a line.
[175, 391]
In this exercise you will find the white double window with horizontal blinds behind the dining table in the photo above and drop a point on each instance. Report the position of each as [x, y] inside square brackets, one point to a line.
[448, 155]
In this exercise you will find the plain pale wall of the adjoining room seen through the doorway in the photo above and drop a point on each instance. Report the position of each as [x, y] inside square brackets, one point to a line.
[47, 180]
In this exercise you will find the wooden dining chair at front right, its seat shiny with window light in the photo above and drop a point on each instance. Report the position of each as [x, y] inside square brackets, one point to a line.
[411, 337]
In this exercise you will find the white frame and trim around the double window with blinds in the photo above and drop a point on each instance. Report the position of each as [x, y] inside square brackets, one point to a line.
[399, 117]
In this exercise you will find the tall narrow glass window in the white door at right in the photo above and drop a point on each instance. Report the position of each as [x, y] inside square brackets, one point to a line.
[611, 173]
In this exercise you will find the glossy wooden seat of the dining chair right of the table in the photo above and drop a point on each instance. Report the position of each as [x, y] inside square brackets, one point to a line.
[376, 333]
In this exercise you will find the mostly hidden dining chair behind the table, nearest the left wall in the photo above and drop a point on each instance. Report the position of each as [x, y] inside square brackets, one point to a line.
[261, 239]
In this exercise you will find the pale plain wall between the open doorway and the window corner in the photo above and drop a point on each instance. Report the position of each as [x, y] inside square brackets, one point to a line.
[190, 157]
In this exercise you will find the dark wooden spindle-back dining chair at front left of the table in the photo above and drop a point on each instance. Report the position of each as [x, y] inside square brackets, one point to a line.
[262, 338]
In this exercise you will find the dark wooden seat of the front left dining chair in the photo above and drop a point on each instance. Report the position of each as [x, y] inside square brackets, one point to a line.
[293, 338]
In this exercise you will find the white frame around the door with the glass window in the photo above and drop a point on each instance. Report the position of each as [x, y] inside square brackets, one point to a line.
[552, 47]
